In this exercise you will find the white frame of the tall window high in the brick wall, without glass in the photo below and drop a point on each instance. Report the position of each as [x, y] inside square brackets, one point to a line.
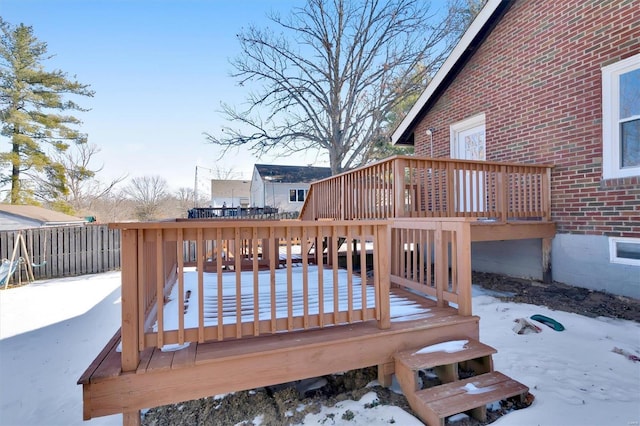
[611, 167]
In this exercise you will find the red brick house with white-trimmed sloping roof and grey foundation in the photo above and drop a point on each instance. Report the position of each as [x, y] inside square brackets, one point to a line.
[549, 82]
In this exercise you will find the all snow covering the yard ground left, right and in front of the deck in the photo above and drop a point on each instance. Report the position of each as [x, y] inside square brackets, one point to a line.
[50, 331]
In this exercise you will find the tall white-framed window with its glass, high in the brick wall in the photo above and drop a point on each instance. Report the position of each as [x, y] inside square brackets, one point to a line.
[621, 119]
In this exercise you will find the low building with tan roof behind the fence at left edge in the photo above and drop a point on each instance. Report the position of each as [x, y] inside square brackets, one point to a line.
[15, 217]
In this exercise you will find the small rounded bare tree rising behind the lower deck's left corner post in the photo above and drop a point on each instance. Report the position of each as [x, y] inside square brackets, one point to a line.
[149, 193]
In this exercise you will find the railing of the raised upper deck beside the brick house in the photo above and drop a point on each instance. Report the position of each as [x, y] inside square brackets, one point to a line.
[403, 186]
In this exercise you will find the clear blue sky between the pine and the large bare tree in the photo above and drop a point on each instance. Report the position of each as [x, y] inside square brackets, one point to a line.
[160, 70]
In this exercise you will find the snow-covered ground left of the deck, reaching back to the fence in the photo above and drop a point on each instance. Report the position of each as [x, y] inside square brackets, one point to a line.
[50, 331]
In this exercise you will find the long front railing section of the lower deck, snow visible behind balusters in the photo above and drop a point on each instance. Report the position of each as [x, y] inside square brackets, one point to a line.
[355, 286]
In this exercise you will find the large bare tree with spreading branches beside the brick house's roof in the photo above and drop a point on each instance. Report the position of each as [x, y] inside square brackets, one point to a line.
[330, 74]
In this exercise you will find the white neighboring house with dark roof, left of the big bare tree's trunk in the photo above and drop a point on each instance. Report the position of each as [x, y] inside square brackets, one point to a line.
[283, 187]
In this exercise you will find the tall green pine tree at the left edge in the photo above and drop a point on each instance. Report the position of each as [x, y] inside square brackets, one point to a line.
[34, 115]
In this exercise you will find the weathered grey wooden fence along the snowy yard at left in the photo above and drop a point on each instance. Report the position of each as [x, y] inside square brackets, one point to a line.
[65, 251]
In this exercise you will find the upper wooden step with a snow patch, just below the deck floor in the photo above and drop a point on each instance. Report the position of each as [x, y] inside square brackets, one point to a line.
[474, 355]
